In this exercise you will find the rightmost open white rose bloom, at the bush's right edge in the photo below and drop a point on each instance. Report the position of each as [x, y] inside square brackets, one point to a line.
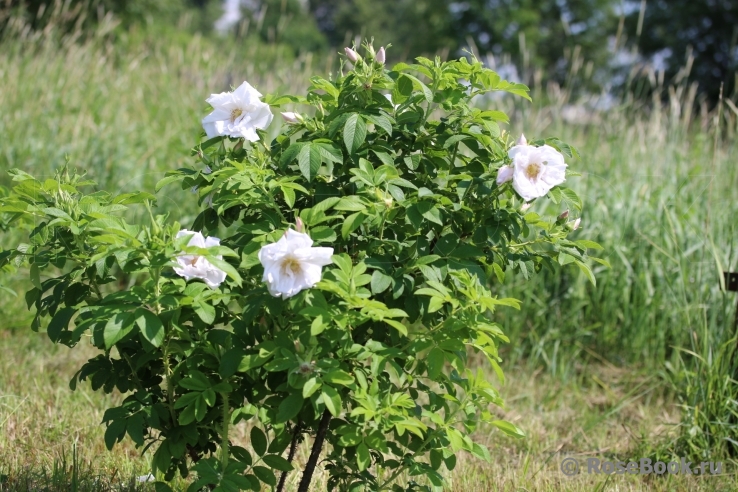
[535, 170]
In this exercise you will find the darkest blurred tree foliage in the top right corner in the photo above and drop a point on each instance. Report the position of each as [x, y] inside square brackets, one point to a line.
[708, 27]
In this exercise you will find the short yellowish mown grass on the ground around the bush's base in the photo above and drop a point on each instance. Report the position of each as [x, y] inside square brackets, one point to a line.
[603, 411]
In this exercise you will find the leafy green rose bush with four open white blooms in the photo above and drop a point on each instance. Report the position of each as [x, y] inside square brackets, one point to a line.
[354, 329]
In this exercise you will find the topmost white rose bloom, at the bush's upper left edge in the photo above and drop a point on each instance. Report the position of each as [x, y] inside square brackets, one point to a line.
[237, 114]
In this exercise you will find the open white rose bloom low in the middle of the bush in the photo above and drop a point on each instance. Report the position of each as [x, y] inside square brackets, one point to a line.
[292, 264]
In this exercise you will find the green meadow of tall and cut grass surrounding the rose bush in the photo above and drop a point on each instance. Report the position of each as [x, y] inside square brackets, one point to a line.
[620, 370]
